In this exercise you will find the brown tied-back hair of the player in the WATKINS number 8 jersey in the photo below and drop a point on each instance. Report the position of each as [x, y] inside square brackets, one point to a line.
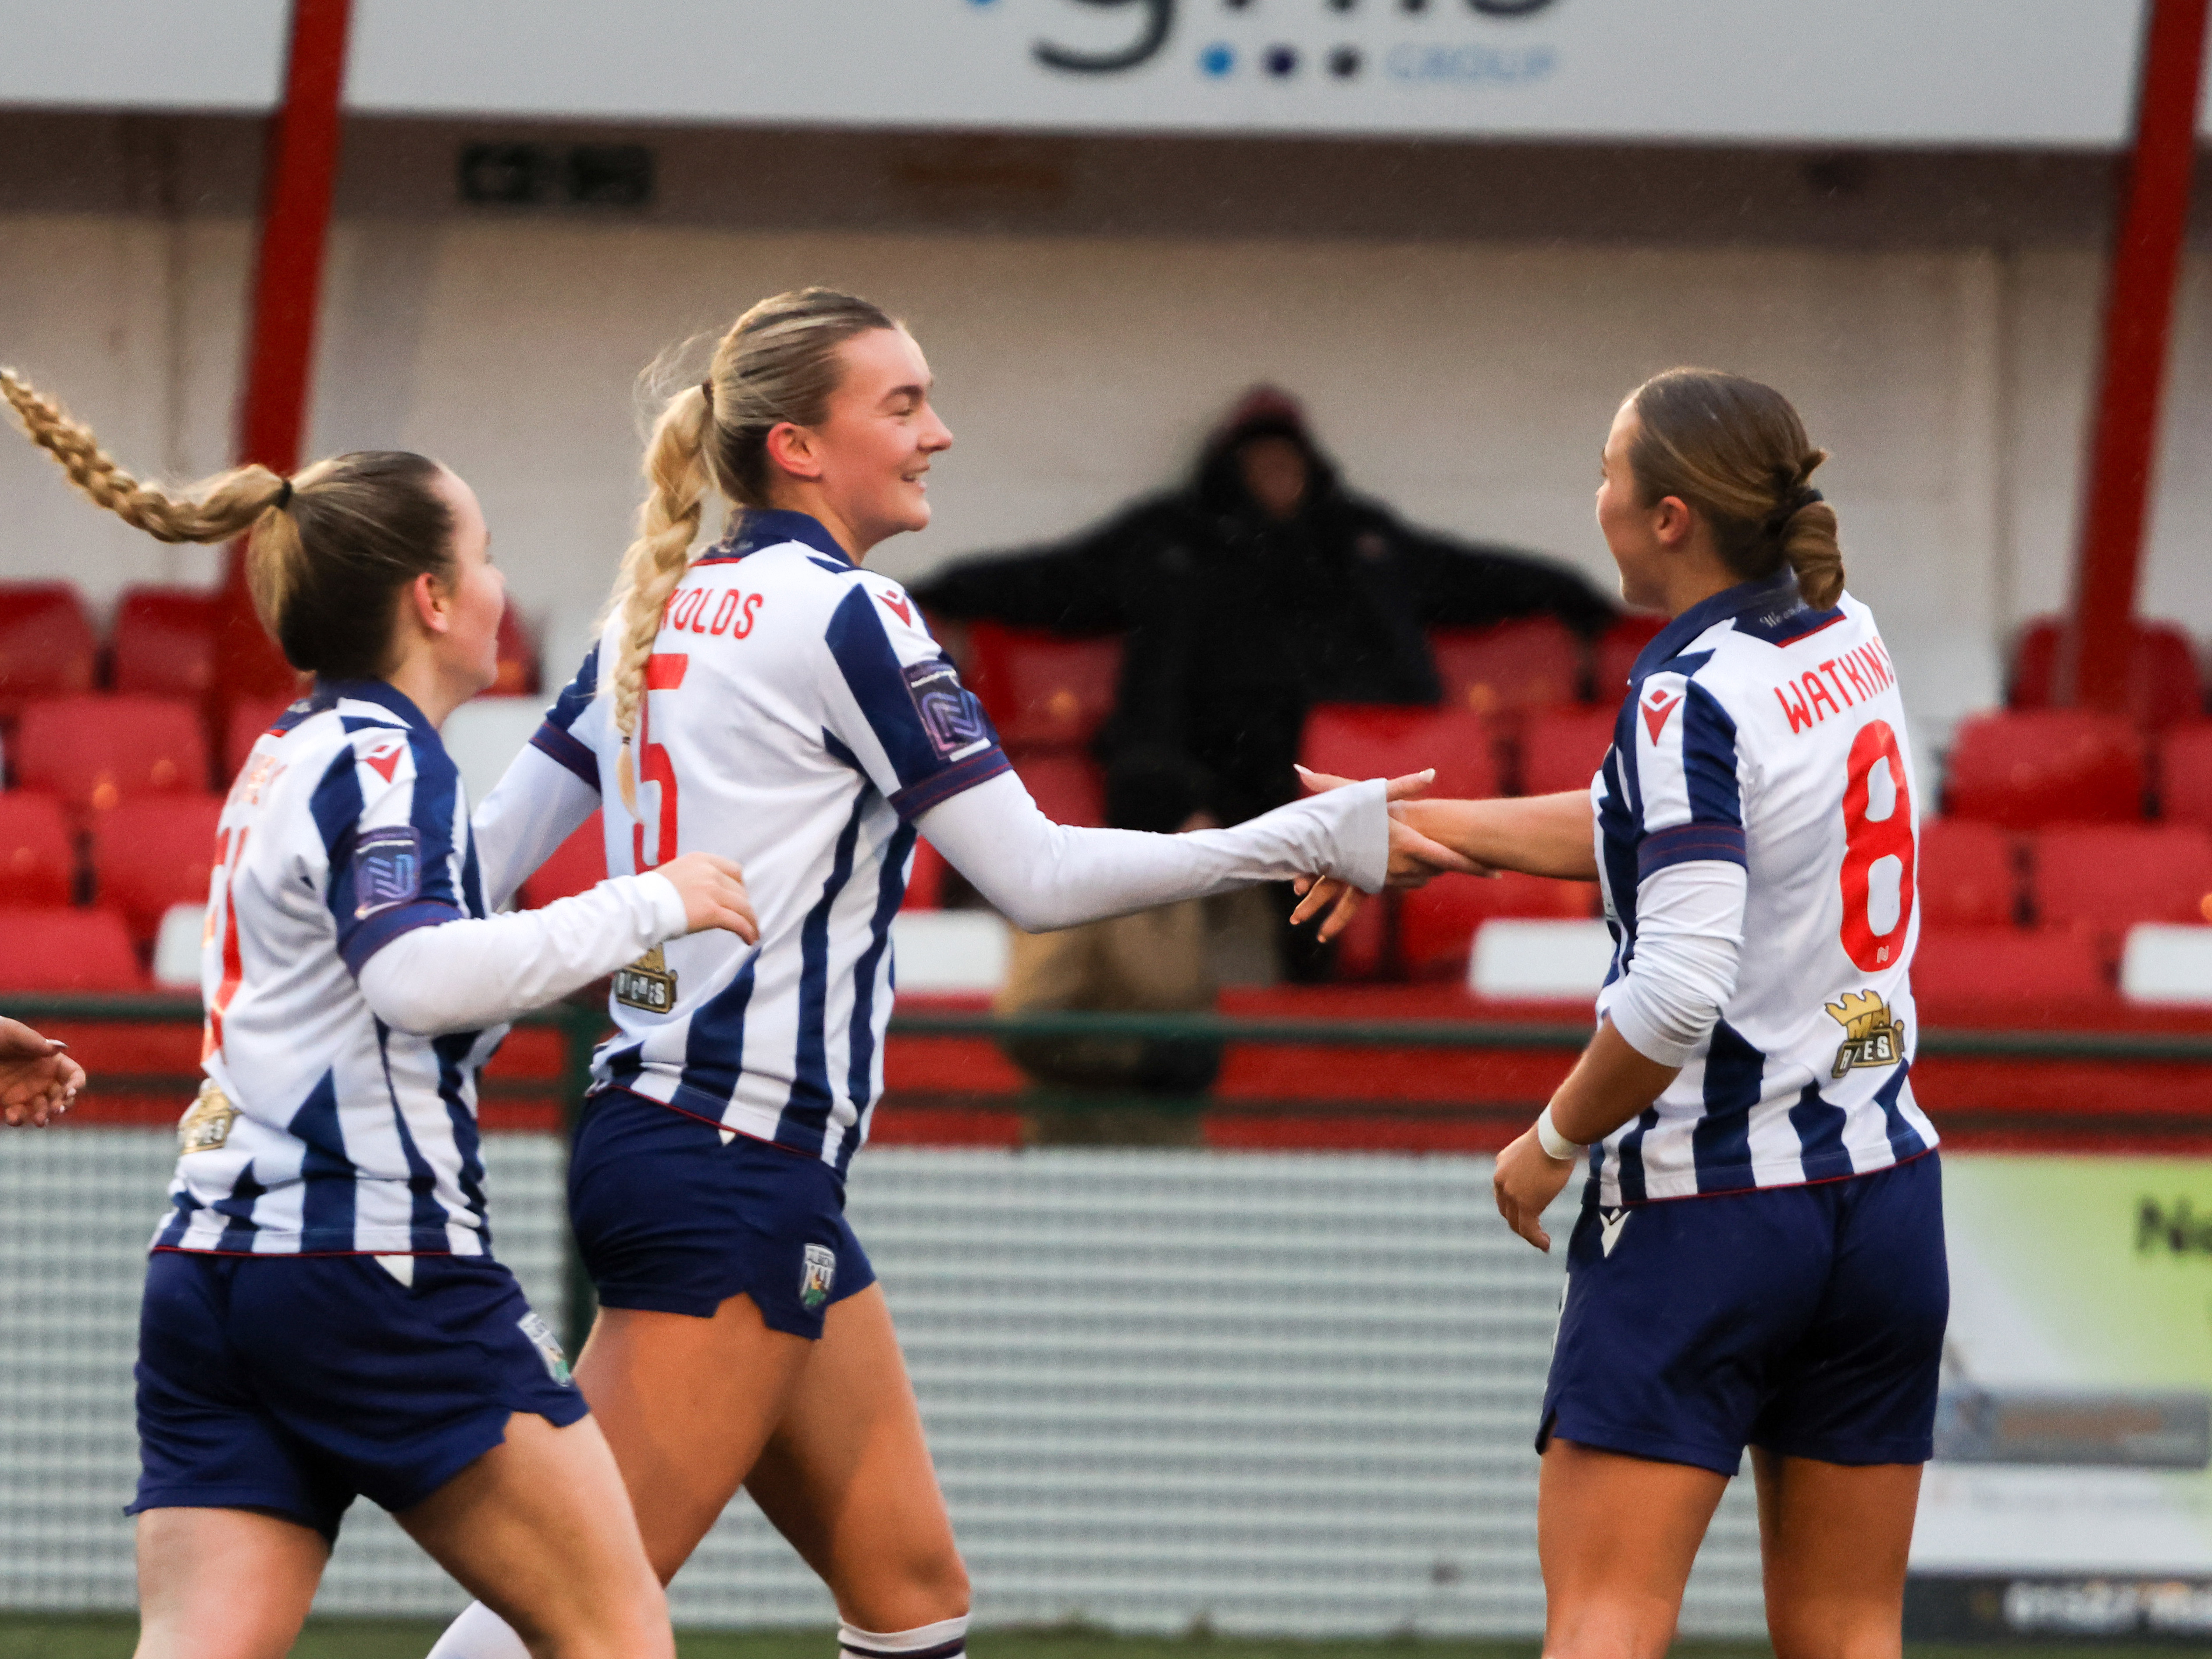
[1738, 452]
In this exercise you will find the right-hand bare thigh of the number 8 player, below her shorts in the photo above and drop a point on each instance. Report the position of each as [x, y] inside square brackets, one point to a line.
[1835, 1543]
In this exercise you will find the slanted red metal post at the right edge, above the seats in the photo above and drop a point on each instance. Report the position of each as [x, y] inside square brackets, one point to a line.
[2131, 375]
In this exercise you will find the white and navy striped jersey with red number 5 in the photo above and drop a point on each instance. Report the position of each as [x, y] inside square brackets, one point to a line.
[797, 718]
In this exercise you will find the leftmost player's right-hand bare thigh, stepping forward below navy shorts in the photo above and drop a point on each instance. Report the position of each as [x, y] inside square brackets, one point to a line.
[541, 1532]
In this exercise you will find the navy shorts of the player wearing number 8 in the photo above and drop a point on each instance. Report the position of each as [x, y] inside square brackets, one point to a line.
[1804, 1319]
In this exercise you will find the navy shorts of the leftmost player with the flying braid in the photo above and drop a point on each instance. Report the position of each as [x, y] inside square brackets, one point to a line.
[293, 1384]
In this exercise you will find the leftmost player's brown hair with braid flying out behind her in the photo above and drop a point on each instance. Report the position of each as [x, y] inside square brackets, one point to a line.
[328, 552]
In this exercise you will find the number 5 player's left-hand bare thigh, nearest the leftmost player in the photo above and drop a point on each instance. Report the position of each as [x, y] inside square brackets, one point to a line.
[687, 1406]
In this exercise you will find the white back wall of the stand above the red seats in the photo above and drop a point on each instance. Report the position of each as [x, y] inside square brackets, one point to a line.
[1465, 384]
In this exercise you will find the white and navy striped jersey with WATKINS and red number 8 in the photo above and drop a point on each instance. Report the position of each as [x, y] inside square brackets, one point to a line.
[1771, 735]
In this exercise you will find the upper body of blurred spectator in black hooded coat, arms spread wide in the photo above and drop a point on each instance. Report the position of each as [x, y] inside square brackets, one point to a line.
[1253, 594]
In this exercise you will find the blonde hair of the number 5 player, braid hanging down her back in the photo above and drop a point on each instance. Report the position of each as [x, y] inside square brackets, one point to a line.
[778, 364]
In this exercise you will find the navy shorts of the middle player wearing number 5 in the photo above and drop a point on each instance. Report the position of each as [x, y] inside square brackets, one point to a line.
[676, 1222]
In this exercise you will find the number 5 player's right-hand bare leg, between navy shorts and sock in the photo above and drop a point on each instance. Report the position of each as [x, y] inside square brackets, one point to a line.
[848, 1479]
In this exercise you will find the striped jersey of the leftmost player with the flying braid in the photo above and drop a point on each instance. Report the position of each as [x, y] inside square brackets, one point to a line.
[320, 1129]
